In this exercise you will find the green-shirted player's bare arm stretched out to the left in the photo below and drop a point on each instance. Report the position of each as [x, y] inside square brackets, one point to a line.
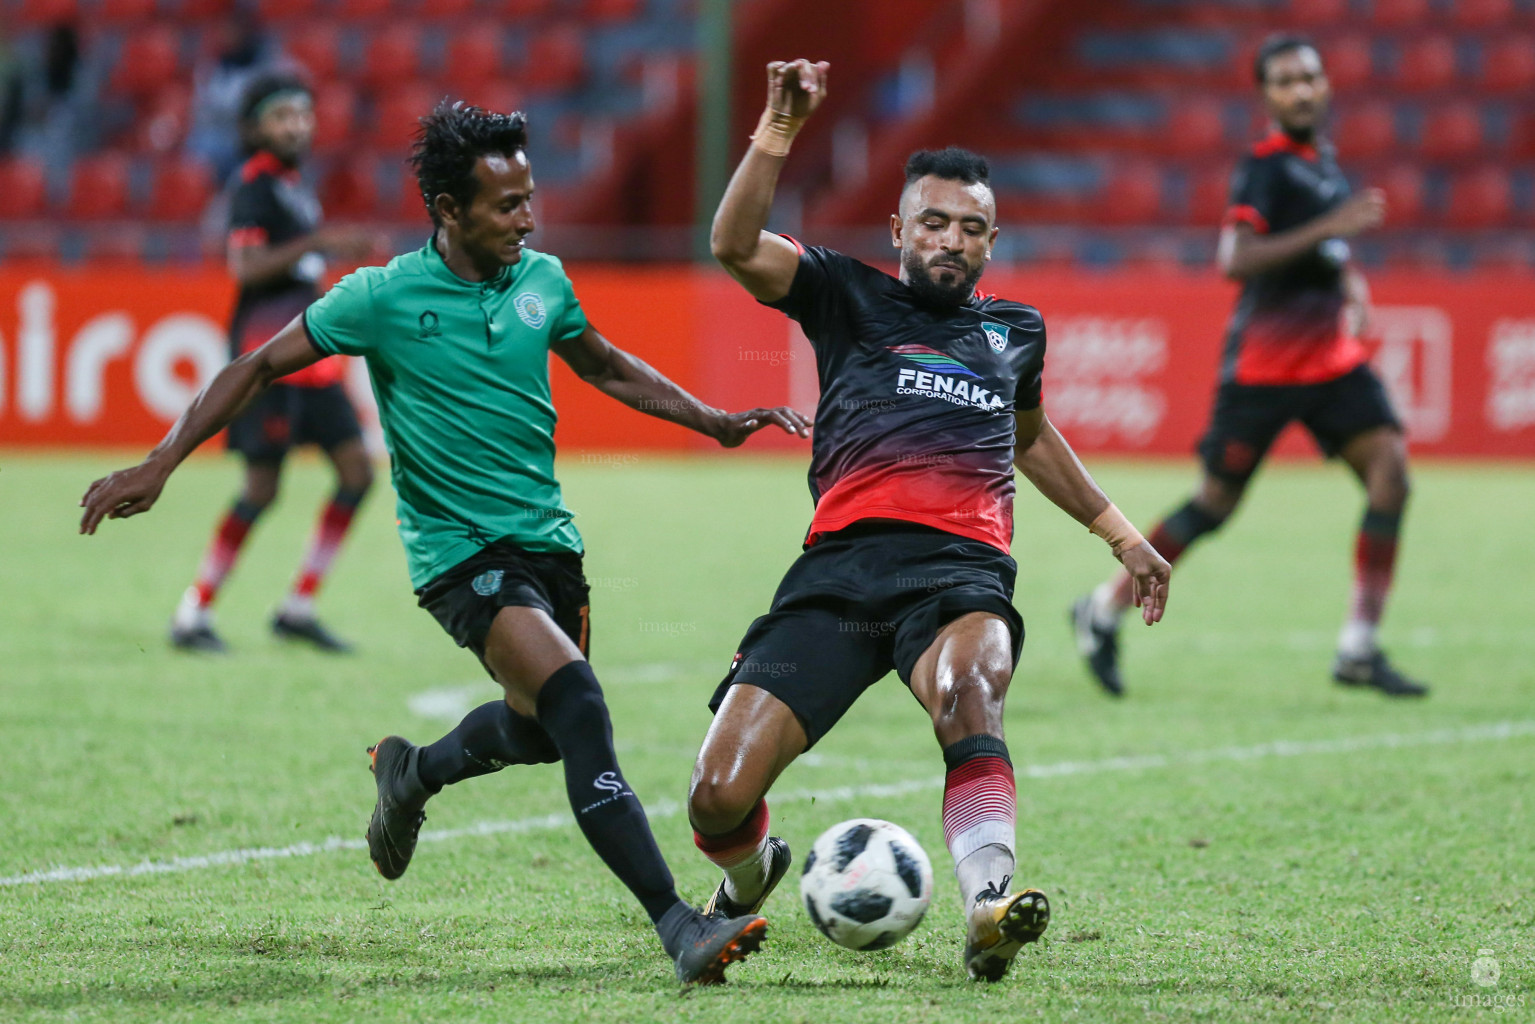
[136, 491]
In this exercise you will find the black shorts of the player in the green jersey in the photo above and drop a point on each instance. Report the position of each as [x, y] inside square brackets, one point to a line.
[466, 600]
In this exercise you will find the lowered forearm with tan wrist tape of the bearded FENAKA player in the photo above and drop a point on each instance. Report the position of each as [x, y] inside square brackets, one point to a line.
[1045, 457]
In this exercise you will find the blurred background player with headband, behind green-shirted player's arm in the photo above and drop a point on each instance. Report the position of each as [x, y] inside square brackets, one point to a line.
[277, 253]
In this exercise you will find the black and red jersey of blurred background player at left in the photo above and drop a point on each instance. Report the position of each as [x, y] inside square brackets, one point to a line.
[271, 206]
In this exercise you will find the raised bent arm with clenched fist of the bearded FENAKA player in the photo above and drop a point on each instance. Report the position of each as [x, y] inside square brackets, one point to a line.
[764, 262]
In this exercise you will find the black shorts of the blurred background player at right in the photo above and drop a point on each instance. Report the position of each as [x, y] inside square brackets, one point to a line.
[1249, 418]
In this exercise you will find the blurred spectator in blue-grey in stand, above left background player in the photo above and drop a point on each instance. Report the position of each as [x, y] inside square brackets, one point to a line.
[243, 53]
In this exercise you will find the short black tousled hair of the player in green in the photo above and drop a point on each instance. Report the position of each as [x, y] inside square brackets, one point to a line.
[452, 139]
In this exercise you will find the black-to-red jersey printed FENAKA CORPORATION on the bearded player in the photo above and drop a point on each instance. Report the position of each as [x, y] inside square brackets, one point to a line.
[916, 420]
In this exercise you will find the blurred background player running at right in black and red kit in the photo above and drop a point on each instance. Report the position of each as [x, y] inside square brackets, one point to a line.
[1292, 352]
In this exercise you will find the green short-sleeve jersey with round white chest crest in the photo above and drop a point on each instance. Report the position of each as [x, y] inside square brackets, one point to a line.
[461, 372]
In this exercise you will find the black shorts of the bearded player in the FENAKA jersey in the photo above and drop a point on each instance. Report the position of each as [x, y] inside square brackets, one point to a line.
[860, 603]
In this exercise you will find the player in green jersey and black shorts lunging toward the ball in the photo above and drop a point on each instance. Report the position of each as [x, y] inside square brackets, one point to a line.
[458, 339]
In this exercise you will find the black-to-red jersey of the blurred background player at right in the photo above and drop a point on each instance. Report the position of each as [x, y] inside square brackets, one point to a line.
[1289, 325]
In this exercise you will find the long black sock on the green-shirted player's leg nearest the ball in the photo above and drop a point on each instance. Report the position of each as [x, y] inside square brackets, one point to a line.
[573, 713]
